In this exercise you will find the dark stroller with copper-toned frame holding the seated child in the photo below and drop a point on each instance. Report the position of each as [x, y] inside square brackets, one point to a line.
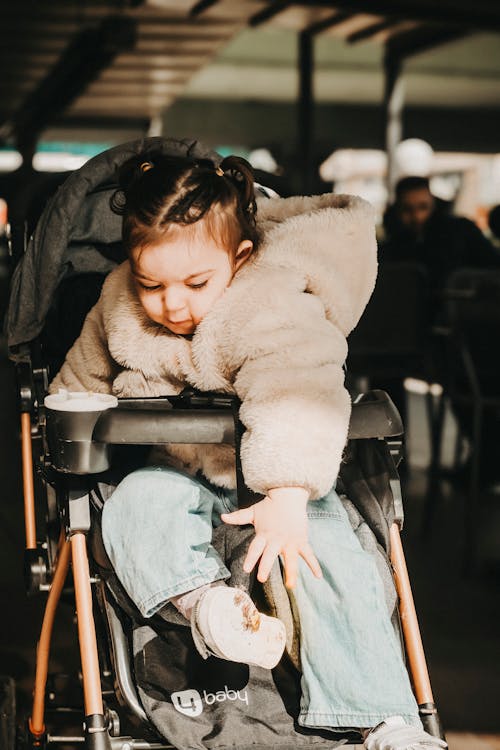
[133, 674]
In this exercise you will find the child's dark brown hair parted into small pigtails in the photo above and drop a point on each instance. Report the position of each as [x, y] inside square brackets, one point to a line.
[158, 192]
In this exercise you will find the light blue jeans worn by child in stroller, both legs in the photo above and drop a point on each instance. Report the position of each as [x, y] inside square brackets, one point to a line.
[157, 529]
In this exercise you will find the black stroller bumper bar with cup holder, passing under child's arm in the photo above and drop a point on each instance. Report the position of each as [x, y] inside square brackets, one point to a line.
[80, 441]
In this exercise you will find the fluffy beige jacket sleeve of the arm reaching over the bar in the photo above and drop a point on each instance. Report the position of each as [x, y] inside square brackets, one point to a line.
[294, 405]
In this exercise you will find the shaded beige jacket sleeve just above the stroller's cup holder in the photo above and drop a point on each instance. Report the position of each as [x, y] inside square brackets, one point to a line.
[88, 365]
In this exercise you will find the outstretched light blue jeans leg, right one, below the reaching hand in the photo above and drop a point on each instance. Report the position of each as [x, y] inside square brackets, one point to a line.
[353, 671]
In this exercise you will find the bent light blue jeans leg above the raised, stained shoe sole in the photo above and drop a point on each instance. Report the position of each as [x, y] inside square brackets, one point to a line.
[157, 531]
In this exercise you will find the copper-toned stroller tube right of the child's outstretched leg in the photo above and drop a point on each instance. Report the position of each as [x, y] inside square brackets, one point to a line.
[409, 621]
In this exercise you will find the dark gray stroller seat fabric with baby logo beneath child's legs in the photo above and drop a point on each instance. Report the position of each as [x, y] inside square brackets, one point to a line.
[197, 703]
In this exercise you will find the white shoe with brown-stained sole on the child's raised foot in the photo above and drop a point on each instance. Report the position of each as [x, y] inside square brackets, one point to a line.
[226, 623]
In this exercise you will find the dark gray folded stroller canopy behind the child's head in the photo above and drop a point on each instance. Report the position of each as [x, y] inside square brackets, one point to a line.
[77, 233]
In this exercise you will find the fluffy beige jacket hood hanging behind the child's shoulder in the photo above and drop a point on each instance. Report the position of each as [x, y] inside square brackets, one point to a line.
[330, 241]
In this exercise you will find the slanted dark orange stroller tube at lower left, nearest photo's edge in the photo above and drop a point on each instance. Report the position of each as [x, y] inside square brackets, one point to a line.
[36, 722]
